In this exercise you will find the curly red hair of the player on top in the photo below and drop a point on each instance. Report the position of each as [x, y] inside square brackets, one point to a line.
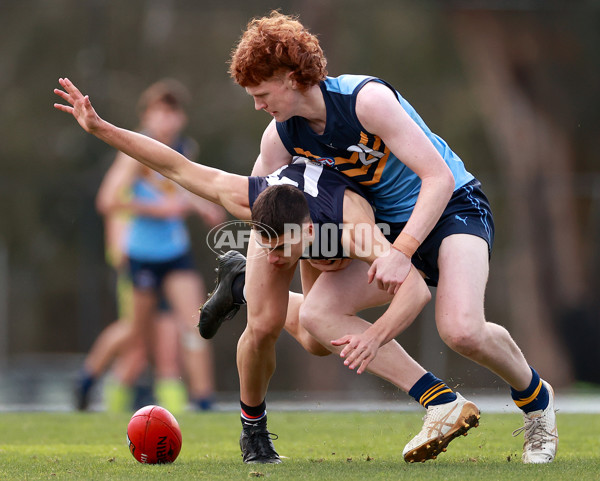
[276, 44]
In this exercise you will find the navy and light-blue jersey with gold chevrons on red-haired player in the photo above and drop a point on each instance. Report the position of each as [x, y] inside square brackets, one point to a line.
[348, 147]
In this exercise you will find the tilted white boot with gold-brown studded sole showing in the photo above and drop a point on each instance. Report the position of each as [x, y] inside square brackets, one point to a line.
[441, 424]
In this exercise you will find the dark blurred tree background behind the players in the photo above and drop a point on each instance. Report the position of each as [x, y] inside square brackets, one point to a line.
[511, 85]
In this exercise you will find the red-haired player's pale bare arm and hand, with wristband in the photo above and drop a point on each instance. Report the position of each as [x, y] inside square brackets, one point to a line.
[380, 113]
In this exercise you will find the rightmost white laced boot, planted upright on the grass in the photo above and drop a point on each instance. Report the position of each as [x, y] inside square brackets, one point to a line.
[540, 432]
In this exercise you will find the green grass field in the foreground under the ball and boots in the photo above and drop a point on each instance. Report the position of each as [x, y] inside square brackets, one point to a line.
[316, 446]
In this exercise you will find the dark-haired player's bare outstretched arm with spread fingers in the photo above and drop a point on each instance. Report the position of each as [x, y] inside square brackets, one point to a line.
[228, 190]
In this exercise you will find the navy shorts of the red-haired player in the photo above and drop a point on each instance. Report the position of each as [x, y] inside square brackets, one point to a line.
[467, 212]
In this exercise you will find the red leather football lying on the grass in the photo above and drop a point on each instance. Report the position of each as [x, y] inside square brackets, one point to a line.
[154, 436]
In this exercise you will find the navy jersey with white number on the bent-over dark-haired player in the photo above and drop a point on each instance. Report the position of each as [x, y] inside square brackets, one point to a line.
[324, 190]
